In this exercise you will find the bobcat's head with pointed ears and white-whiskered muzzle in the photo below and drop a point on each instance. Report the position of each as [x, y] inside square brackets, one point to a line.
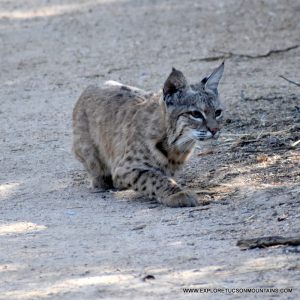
[193, 112]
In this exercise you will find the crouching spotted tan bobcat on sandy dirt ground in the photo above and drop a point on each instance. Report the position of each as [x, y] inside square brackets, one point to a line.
[129, 138]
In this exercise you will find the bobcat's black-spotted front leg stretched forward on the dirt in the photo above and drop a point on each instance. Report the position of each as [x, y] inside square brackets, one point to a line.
[155, 184]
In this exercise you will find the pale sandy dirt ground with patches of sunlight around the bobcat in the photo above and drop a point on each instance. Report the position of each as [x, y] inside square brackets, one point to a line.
[60, 241]
